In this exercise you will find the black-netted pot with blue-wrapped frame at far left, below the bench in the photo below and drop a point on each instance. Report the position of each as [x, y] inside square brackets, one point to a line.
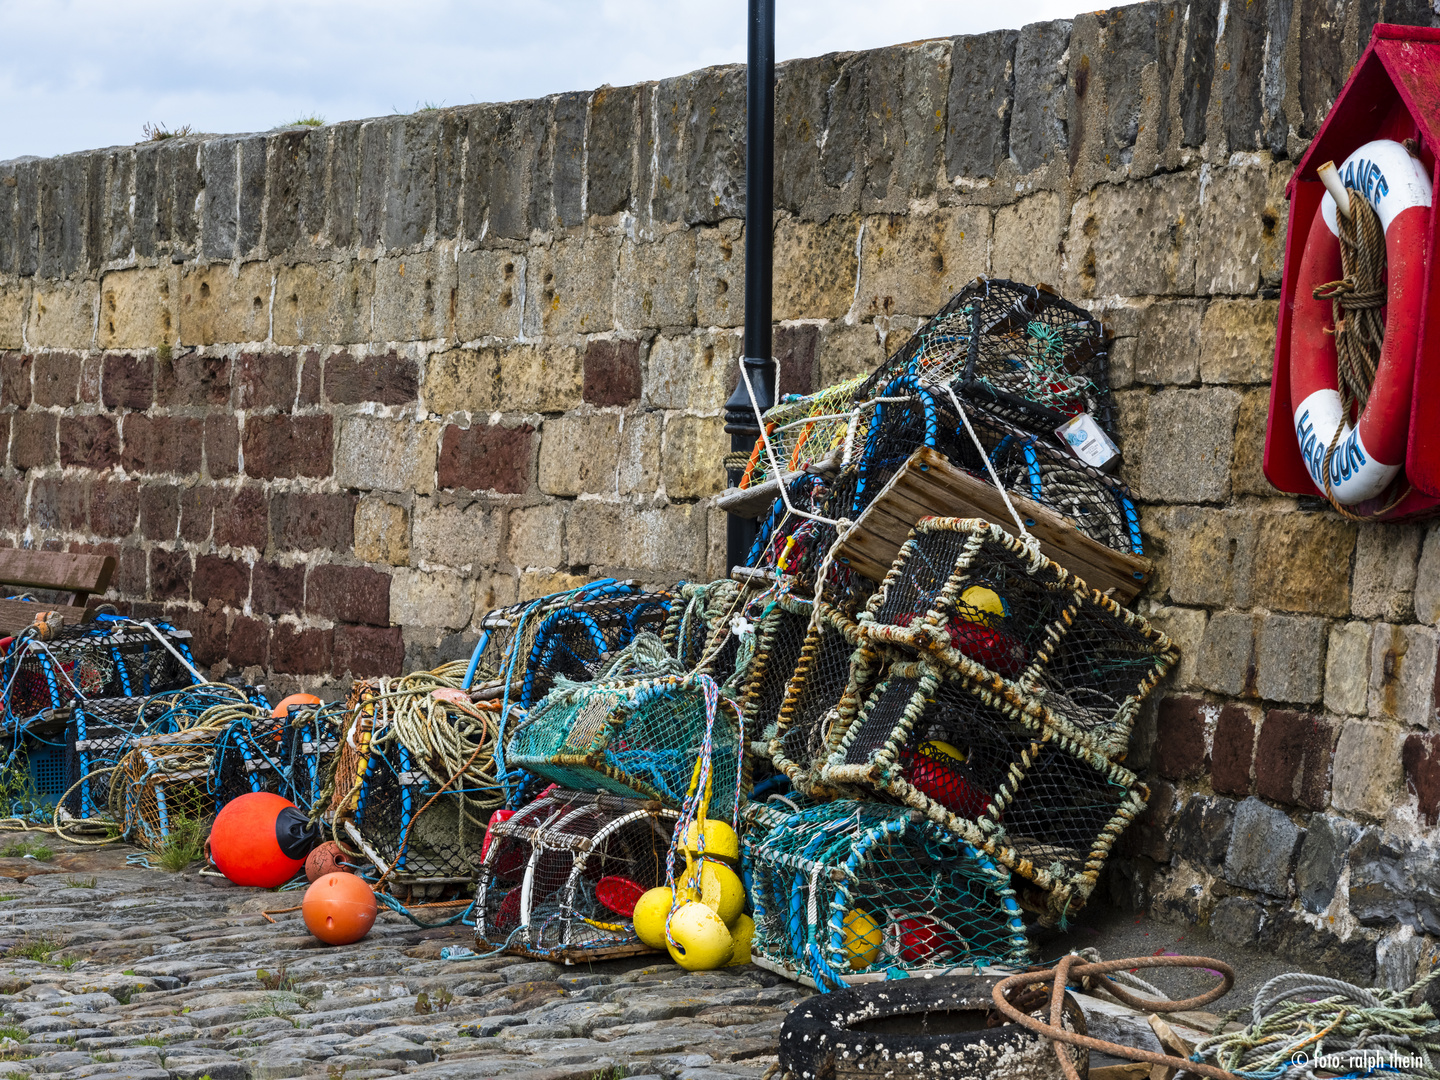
[103, 659]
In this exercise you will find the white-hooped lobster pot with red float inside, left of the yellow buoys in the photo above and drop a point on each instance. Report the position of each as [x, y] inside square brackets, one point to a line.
[561, 878]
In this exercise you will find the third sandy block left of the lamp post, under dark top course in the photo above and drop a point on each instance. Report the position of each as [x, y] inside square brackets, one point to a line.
[571, 287]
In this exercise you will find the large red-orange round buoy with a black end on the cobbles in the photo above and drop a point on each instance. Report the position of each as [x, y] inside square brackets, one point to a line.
[261, 840]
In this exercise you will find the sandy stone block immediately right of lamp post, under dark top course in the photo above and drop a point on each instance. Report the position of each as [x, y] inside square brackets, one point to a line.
[816, 267]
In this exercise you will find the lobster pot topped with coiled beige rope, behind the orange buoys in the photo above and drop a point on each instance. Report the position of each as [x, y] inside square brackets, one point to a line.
[415, 778]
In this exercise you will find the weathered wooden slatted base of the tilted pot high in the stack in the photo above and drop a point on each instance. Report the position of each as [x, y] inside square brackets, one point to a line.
[931, 486]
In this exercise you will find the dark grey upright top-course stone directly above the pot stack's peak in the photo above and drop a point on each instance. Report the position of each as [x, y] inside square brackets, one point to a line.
[981, 97]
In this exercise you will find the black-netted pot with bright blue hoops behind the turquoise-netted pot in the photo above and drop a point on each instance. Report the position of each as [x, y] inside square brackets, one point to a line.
[575, 642]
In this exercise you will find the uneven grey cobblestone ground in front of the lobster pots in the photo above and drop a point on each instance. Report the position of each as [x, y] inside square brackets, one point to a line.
[114, 971]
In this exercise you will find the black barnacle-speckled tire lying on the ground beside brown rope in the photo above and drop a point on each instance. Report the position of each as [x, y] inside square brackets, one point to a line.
[917, 1027]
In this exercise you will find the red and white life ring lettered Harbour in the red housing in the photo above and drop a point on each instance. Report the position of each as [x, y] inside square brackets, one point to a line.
[1398, 186]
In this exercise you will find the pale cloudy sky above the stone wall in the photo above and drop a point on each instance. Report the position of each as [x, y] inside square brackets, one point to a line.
[84, 74]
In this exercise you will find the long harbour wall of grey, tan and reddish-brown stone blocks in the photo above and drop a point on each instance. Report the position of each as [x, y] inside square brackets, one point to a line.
[328, 394]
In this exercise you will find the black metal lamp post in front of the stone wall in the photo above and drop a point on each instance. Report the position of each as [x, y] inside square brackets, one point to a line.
[760, 257]
